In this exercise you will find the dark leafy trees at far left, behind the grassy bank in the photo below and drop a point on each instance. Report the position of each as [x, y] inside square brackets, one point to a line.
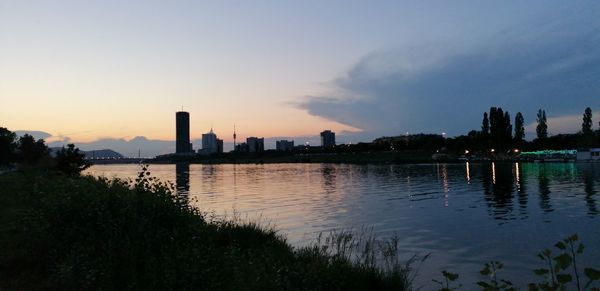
[26, 151]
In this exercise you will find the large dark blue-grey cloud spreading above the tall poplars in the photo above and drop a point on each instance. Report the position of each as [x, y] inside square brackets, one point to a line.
[548, 63]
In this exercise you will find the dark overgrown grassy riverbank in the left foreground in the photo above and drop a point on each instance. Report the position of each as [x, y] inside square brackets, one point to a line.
[80, 233]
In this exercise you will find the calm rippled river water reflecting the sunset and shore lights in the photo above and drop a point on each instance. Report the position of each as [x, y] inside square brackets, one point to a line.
[464, 214]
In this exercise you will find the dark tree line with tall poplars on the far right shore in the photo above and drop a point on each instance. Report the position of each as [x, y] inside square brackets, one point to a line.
[499, 132]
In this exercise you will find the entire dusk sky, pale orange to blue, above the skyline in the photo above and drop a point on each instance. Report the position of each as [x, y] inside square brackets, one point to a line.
[103, 72]
